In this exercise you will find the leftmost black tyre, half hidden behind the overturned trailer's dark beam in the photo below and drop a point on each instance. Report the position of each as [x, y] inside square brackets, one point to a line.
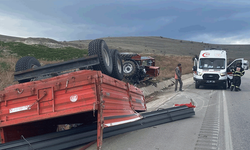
[26, 62]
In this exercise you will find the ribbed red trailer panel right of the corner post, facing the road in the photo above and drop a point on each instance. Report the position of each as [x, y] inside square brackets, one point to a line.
[117, 104]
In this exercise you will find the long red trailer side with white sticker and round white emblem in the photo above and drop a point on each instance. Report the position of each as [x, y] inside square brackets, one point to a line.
[49, 98]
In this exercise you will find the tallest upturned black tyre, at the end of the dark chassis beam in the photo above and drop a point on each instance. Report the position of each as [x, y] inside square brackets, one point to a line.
[100, 48]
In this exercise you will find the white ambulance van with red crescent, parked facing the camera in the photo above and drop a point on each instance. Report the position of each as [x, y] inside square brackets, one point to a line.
[211, 68]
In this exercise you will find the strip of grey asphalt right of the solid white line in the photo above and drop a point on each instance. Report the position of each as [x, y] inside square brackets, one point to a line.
[238, 110]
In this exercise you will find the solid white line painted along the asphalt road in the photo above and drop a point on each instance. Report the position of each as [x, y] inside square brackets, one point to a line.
[228, 137]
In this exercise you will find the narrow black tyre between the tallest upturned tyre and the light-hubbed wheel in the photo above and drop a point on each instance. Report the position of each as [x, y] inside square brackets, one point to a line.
[117, 64]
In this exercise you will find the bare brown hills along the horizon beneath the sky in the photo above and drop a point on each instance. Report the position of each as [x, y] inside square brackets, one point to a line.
[152, 44]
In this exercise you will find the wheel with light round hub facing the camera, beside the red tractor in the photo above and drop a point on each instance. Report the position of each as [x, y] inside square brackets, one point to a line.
[129, 68]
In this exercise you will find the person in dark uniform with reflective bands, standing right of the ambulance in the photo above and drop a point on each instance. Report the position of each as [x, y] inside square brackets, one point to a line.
[238, 72]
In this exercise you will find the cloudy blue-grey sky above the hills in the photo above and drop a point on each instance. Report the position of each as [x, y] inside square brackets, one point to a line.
[209, 21]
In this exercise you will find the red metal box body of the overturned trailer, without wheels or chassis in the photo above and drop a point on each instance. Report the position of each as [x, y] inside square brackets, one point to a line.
[86, 96]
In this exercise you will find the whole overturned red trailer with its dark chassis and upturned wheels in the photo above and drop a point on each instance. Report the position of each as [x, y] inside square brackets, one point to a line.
[48, 96]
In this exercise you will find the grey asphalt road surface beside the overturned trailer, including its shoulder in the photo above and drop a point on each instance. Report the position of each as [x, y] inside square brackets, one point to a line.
[221, 122]
